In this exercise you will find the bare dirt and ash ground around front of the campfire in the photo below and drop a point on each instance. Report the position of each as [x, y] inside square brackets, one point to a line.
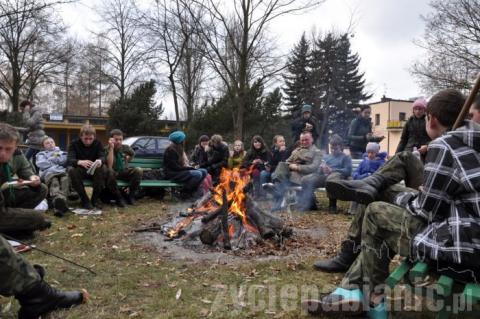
[314, 234]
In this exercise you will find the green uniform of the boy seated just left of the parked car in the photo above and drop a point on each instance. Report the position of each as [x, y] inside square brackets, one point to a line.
[120, 169]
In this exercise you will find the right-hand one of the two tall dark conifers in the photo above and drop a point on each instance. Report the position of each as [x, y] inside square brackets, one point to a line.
[338, 83]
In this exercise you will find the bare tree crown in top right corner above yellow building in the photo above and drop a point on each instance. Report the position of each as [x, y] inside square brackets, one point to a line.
[452, 43]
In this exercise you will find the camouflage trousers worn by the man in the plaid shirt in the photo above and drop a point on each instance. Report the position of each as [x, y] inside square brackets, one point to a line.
[387, 230]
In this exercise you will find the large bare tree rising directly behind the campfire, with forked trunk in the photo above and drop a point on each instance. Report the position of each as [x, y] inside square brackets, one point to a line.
[238, 47]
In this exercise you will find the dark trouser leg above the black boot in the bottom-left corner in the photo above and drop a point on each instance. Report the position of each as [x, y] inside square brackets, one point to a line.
[17, 274]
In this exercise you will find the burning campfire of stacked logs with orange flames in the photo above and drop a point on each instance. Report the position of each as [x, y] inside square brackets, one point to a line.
[227, 217]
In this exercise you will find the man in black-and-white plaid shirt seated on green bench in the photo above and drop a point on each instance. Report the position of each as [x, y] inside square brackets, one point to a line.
[440, 222]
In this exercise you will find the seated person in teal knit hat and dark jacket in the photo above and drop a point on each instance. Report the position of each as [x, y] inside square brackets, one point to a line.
[176, 165]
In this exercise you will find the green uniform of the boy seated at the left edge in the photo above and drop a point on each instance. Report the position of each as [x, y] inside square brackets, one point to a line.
[16, 203]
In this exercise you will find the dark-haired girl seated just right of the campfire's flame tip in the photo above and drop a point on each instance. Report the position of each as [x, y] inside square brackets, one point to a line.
[257, 156]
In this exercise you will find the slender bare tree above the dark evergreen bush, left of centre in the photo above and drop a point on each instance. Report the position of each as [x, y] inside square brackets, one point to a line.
[126, 52]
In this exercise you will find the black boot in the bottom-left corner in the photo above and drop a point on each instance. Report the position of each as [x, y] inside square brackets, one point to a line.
[43, 298]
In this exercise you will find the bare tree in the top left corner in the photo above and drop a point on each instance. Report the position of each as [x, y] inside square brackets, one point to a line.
[30, 47]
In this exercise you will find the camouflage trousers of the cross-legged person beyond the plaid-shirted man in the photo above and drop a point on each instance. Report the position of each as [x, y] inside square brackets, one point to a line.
[404, 166]
